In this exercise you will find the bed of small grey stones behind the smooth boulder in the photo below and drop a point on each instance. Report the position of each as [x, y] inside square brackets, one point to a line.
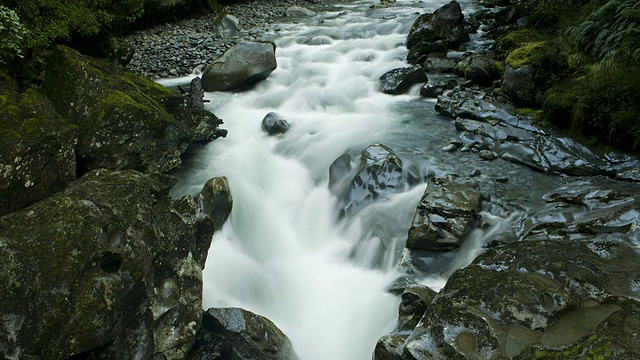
[176, 49]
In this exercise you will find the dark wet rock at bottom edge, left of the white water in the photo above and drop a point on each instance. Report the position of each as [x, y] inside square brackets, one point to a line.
[233, 333]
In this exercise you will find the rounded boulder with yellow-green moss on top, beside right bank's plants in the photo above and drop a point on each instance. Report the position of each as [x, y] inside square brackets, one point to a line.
[530, 70]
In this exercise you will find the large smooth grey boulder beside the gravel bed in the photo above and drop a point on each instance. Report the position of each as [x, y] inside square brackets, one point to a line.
[241, 66]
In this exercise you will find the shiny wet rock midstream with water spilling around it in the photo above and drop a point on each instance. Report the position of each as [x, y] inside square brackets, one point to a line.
[378, 174]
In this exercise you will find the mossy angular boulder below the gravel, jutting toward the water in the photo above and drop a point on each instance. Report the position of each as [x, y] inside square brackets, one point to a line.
[124, 120]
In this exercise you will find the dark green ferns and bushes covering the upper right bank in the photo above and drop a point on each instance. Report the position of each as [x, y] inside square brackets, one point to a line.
[600, 95]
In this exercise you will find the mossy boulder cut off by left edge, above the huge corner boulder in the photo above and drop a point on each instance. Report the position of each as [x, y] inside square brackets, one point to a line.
[37, 147]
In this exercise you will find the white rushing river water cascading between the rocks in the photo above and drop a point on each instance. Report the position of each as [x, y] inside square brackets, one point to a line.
[285, 253]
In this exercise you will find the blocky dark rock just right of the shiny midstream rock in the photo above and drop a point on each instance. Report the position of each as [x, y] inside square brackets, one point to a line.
[445, 214]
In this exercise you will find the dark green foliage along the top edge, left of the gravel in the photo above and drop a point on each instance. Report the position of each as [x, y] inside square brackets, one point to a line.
[49, 21]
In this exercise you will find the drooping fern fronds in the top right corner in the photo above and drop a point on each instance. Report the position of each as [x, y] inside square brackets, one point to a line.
[611, 32]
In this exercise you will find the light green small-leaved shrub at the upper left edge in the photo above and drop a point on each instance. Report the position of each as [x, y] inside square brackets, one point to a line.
[12, 34]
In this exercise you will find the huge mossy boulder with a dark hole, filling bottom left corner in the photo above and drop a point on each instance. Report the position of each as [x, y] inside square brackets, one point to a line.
[109, 268]
